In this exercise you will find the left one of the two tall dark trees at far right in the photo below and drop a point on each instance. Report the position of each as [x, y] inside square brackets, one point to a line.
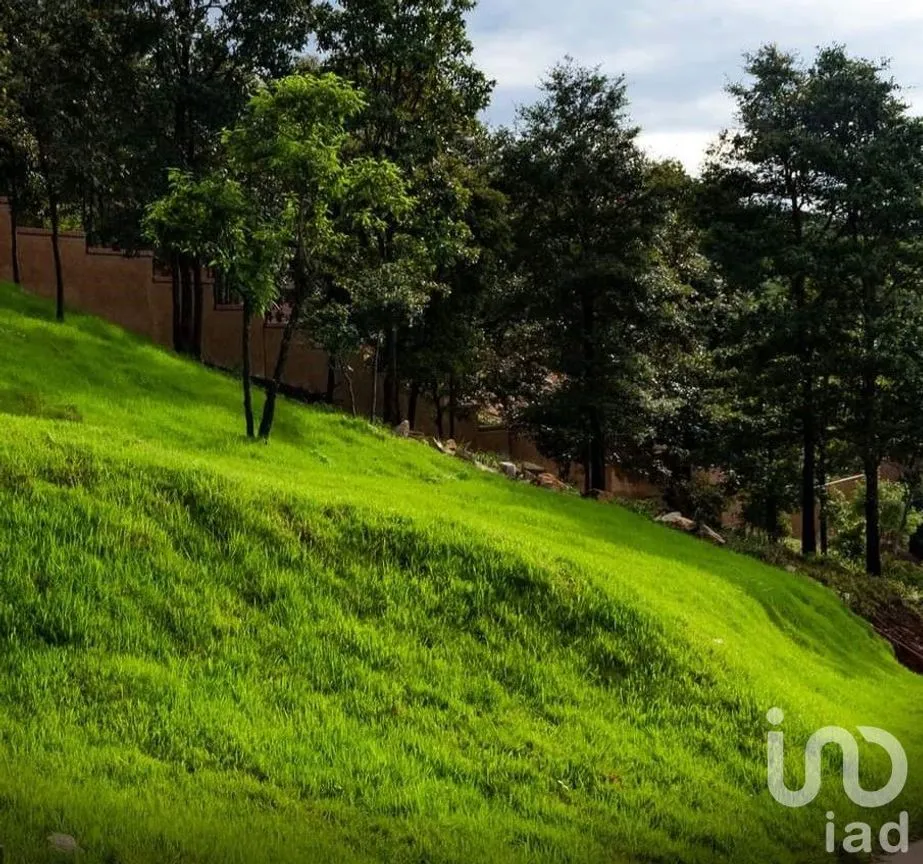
[767, 240]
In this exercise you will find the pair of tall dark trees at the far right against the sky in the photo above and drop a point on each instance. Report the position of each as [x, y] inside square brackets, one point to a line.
[813, 206]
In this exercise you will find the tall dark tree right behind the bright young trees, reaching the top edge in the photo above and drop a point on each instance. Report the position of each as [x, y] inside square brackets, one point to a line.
[423, 98]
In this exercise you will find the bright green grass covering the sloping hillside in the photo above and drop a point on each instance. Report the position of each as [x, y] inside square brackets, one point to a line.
[347, 647]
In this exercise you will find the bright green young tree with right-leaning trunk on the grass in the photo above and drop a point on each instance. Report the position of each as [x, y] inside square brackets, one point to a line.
[292, 141]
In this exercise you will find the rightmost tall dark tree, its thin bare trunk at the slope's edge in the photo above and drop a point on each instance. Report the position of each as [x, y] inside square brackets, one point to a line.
[869, 152]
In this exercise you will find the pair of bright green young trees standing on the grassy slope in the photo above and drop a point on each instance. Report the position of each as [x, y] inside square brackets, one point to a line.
[291, 216]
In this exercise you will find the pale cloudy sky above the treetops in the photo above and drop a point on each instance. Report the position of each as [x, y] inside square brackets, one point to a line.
[678, 55]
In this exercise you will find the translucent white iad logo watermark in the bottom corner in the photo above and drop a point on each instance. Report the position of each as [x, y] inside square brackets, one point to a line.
[858, 834]
